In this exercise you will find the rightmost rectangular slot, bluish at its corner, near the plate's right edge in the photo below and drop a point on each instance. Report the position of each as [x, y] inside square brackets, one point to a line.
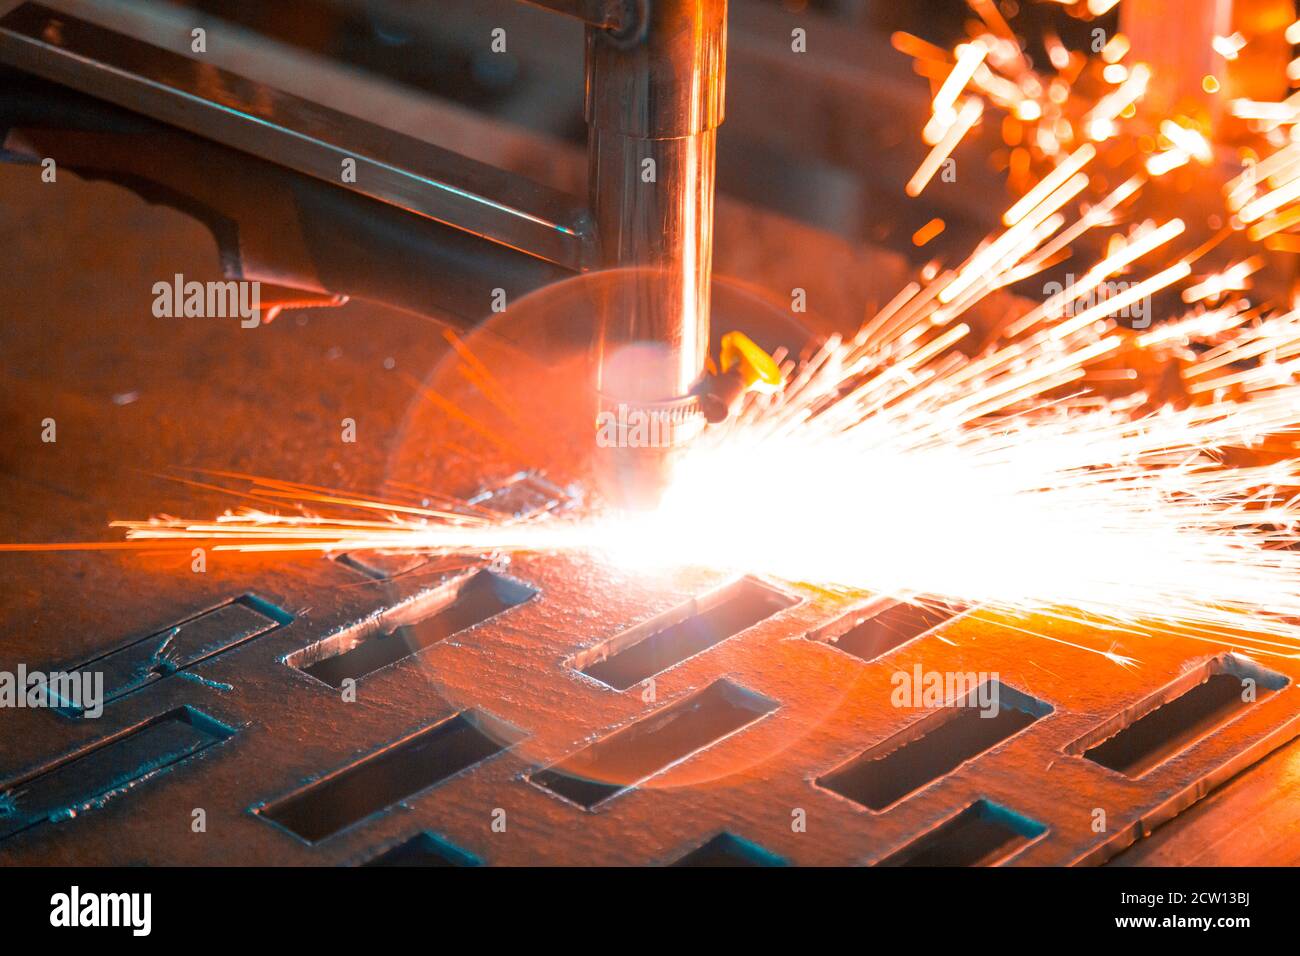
[1180, 716]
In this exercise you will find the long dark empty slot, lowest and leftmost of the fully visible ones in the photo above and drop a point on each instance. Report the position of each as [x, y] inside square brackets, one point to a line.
[388, 777]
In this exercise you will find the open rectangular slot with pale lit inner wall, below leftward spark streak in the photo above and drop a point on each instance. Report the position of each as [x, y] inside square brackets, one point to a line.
[410, 628]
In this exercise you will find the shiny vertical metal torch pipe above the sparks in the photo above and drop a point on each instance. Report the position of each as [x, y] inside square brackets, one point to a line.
[655, 101]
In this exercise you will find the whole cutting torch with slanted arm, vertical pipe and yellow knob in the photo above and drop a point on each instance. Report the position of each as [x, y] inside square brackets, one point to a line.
[183, 132]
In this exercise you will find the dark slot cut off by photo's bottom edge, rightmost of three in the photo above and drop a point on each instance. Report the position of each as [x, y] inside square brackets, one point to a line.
[983, 834]
